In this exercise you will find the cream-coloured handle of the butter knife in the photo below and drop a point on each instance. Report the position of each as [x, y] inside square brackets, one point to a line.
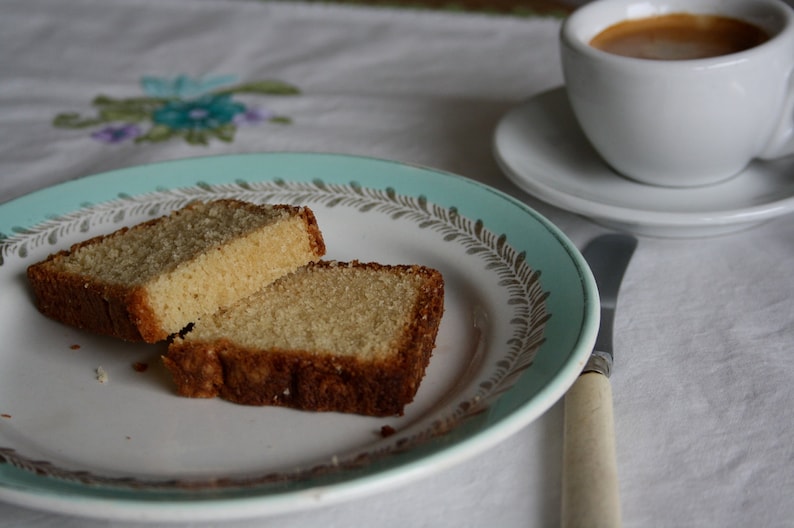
[589, 471]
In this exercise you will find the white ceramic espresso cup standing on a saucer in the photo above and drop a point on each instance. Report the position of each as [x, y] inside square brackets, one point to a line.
[682, 122]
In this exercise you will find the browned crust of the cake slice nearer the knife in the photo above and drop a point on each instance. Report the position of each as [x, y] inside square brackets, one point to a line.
[310, 381]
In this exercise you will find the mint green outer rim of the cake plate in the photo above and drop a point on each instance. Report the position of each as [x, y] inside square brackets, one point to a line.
[569, 334]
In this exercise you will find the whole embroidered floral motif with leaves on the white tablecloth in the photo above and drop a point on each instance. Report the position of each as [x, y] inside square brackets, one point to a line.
[196, 110]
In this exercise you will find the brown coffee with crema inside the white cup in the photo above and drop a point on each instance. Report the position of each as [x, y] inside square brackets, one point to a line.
[679, 36]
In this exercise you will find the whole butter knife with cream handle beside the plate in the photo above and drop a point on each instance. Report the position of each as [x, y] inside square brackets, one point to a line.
[590, 495]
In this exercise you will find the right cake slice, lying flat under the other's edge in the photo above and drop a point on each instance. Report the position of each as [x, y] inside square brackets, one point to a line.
[347, 337]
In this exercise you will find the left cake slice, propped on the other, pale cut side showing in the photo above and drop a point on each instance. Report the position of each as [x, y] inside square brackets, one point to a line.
[147, 282]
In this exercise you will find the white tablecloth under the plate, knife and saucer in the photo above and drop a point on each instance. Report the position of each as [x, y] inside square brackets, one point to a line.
[704, 376]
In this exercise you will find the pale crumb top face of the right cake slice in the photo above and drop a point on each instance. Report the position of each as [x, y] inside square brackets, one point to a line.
[340, 310]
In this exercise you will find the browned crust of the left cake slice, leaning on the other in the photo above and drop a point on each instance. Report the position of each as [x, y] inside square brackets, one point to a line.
[121, 310]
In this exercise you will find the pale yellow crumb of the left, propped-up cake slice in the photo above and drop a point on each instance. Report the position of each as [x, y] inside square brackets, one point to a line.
[200, 258]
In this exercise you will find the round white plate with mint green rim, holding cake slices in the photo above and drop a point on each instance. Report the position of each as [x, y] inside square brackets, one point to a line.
[521, 317]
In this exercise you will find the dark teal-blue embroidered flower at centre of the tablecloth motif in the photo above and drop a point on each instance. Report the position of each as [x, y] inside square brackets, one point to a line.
[206, 113]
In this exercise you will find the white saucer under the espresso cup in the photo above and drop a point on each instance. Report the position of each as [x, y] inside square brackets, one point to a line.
[541, 148]
